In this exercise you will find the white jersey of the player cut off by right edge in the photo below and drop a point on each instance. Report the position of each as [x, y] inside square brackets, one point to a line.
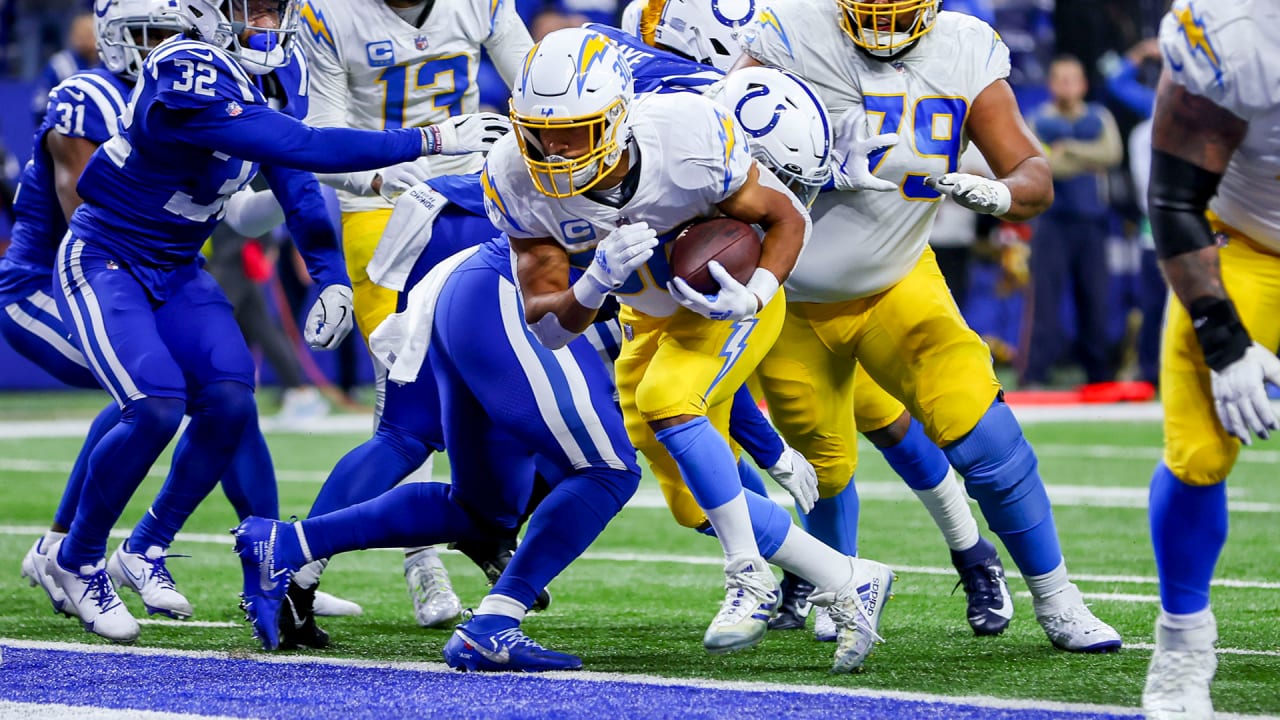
[1229, 53]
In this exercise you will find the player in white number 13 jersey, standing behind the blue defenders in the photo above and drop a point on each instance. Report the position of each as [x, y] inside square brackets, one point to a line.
[400, 63]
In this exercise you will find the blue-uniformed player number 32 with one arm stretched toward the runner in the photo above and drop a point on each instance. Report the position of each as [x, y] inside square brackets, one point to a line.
[158, 332]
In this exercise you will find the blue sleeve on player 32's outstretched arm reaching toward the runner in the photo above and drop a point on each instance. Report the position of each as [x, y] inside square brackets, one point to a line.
[262, 135]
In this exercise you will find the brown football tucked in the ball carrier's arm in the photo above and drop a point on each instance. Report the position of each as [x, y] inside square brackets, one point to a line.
[732, 243]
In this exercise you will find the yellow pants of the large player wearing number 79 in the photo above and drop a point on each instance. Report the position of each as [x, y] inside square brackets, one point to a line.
[911, 340]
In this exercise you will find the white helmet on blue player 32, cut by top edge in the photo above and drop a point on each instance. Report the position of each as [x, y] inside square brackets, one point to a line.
[271, 26]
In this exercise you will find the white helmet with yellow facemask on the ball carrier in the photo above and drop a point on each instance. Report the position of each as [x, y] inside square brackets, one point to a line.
[573, 80]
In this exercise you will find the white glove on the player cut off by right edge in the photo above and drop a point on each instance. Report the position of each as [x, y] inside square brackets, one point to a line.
[1241, 394]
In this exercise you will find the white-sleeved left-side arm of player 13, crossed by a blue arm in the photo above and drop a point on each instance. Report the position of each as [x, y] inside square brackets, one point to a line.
[328, 92]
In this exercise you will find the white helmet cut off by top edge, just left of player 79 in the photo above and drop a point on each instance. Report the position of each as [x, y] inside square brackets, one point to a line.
[703, 30]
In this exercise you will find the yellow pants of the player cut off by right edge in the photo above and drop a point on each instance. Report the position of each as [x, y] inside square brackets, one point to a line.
[1197, 449]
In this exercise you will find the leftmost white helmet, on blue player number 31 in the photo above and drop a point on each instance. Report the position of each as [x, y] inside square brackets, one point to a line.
[127, 30]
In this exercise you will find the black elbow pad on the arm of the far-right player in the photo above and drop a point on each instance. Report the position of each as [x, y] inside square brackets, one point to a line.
[1178, 197]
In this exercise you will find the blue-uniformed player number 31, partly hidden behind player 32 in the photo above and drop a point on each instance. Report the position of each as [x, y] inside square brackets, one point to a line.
[83, 113]
